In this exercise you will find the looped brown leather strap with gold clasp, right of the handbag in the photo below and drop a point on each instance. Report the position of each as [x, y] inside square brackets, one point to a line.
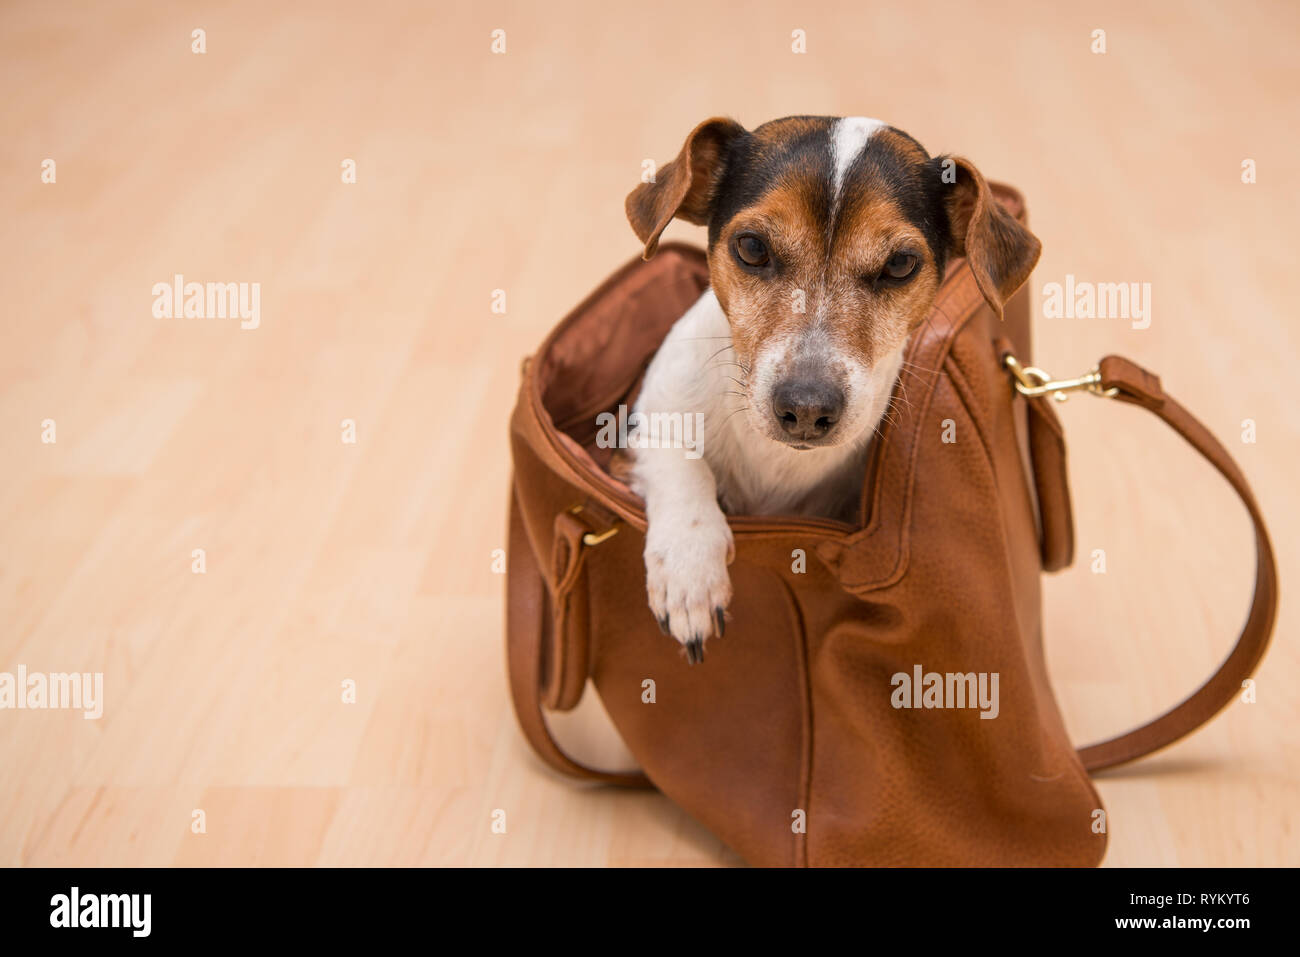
[1126, 382]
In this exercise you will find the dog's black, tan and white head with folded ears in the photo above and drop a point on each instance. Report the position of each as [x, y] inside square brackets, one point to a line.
[827, 243]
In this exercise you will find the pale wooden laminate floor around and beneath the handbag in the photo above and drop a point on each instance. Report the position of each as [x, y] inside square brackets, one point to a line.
[372, 562]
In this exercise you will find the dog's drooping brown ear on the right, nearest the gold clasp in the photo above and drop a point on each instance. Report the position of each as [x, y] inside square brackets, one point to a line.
[1002, 253]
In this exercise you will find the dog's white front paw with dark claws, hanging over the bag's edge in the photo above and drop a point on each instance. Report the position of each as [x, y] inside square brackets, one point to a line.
[687, 579]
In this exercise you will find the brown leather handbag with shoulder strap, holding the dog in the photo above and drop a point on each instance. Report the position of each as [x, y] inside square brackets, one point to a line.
[798, 743]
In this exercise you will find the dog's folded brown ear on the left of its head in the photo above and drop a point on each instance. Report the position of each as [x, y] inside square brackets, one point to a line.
[684, 187]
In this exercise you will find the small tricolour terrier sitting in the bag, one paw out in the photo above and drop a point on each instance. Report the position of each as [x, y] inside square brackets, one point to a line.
[827, 244]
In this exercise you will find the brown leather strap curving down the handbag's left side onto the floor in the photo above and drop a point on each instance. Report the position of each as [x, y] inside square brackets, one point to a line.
[527, 614]
